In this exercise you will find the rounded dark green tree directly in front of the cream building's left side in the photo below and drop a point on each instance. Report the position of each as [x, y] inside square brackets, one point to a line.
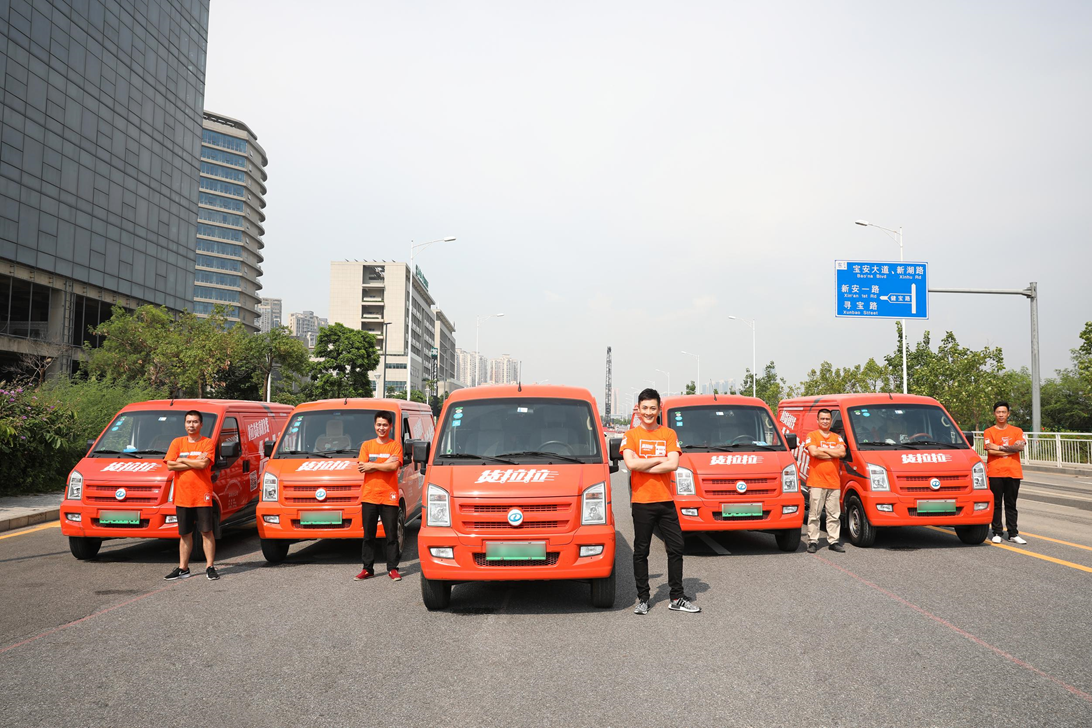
[346, 360]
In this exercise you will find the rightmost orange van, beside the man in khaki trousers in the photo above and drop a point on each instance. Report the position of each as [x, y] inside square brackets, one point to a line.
[907, 464]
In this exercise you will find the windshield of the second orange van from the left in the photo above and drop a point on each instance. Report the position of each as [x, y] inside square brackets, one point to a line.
[329, 434]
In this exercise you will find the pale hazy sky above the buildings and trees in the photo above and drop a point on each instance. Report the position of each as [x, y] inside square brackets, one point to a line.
[631, 174]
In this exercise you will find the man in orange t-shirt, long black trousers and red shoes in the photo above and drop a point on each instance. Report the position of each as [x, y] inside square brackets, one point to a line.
[379, 461]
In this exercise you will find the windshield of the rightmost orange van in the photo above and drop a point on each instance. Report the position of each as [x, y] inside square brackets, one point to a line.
[917, 427]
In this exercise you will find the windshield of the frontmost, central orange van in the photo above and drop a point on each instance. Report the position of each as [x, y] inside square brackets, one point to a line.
[516, 432]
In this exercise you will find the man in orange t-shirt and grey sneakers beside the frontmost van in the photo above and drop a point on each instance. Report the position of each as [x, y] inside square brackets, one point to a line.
[652, 453]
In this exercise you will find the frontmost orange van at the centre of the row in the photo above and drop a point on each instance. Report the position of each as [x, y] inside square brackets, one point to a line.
[519, 490]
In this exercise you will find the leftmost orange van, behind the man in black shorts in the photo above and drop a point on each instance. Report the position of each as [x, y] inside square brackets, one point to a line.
[123, 490]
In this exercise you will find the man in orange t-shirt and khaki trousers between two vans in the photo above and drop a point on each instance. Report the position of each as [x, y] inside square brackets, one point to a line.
[825, 483]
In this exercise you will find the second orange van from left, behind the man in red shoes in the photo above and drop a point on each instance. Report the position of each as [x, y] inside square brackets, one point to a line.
[311, 485]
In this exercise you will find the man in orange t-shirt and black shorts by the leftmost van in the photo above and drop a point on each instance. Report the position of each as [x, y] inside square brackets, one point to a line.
[191, 459]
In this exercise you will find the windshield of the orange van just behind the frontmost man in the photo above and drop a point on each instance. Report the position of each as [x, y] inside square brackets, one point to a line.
[716, 428]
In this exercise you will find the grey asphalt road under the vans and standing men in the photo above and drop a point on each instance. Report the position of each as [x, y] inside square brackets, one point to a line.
[918, 631]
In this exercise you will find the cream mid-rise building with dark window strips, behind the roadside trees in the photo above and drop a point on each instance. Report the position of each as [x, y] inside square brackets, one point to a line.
[366, 294]
